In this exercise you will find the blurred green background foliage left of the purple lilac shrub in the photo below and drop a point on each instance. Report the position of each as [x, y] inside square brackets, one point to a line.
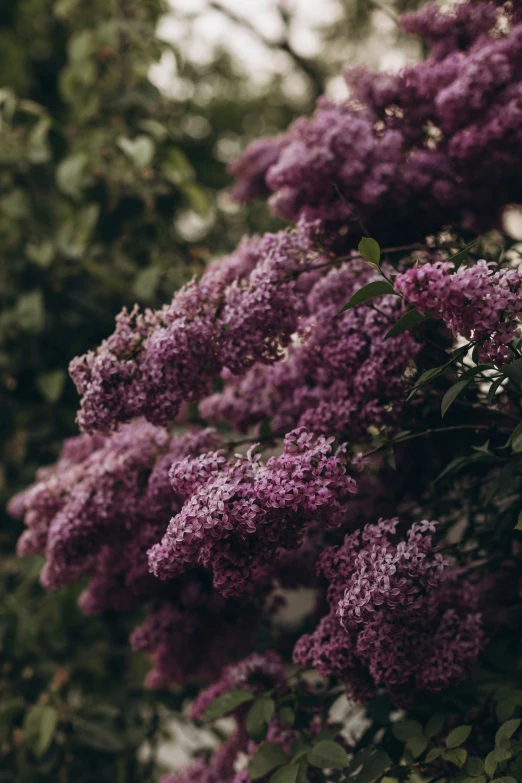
[110, 193]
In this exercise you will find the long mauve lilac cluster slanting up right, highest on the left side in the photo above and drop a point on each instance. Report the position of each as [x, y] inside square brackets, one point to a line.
[243, 311]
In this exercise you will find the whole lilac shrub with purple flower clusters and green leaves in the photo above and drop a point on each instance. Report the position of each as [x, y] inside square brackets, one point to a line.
[340, 363]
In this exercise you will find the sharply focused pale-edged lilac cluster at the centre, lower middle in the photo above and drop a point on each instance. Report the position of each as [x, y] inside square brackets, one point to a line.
[238, 513]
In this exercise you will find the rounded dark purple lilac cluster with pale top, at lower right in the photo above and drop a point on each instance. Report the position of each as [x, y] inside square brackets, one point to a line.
[399, 616]
